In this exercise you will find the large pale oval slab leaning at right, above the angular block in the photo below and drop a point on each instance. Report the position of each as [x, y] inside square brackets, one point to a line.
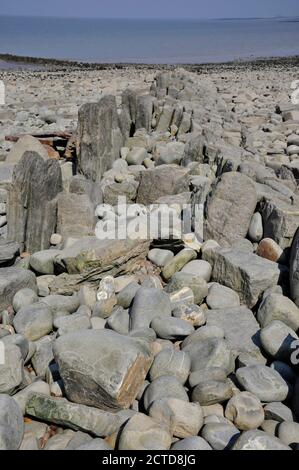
[230, 208]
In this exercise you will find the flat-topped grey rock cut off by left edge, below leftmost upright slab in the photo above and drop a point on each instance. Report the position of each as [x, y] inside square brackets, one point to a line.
[11, 281]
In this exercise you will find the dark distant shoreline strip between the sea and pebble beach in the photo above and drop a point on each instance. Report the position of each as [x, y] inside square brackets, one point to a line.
[11, 62]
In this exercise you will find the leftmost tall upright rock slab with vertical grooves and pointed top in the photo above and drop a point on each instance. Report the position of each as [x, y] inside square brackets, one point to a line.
[32, 202]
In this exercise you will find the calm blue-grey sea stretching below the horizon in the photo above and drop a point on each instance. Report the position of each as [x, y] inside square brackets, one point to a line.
[149, 41]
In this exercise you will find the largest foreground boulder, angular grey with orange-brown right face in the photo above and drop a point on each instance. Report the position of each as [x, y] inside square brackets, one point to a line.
[102, 368]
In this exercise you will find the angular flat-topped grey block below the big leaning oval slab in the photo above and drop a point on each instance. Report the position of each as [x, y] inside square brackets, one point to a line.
[246, 273]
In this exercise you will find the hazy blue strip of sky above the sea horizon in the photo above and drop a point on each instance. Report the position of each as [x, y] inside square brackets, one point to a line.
[151, 8]
